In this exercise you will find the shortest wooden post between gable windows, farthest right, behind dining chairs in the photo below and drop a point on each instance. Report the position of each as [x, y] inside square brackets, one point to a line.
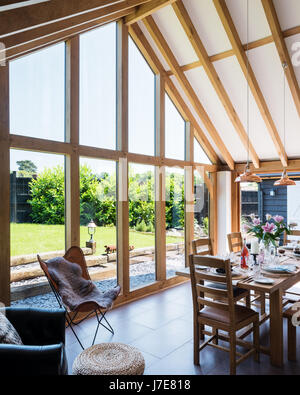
[189, 191]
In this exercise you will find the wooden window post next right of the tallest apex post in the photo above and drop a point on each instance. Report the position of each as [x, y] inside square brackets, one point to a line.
[160, 204]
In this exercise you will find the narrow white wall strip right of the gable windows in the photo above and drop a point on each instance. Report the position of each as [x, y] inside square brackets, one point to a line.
[224, 209]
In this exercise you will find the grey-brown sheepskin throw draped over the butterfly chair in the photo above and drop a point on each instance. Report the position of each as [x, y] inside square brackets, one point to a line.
[74, 289]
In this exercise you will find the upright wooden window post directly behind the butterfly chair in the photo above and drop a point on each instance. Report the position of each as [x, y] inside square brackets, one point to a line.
[72, 182]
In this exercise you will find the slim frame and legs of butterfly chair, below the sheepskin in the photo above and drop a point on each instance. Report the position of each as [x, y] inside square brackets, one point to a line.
[70, 320]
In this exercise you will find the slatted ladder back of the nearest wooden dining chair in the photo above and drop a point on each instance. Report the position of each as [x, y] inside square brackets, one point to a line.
[207, 294]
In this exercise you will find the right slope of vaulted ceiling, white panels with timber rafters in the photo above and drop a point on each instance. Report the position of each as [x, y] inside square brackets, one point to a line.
[202, 45]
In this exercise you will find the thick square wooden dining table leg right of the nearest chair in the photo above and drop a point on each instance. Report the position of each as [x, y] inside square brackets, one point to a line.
[276, 328]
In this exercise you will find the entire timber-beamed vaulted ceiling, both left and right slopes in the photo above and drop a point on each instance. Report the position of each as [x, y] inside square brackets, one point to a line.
[201, 49]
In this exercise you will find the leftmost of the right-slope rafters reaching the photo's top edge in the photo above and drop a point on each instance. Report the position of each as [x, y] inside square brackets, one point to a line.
[200, 50]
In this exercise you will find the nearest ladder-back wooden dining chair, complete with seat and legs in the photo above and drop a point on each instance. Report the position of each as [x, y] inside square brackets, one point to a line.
[225, 315]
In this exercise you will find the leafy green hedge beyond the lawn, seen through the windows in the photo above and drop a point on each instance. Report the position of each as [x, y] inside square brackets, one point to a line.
[98, 198]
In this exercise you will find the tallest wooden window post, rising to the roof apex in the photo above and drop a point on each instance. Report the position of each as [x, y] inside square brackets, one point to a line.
[122, 171]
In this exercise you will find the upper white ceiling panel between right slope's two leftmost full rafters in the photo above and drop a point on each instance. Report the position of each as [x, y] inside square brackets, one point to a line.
[175, 36]
